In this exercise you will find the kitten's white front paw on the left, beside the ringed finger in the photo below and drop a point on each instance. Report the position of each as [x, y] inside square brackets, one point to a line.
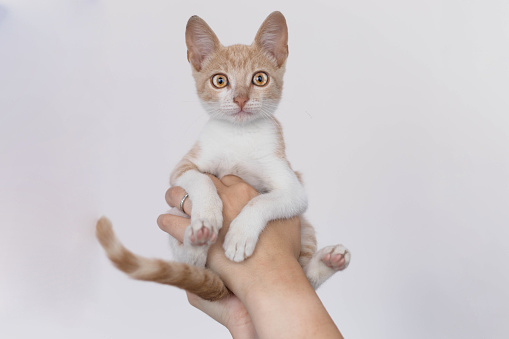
[206, 221]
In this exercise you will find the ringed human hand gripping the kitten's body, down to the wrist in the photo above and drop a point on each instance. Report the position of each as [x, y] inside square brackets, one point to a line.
[277, 244]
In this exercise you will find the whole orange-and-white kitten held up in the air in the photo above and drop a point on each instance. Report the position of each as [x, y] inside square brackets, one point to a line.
[240, 87]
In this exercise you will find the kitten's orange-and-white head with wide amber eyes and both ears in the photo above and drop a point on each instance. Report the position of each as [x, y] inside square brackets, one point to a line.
[239, 83]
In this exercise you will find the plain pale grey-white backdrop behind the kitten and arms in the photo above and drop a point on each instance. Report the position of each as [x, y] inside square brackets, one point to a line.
[395, 111]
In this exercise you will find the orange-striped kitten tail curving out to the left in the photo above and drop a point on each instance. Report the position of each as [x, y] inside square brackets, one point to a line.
[200, 281]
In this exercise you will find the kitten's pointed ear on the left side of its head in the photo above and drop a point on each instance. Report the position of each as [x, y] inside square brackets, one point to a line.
[200, 40]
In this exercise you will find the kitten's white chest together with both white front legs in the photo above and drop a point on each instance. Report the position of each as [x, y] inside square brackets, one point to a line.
[254, 152]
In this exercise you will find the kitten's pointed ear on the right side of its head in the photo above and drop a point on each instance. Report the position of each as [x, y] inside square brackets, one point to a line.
[272, 37]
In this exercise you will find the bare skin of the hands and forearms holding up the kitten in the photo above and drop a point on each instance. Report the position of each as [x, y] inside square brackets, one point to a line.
[272, 296]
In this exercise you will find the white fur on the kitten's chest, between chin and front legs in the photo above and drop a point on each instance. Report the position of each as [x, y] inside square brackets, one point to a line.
[248, 151]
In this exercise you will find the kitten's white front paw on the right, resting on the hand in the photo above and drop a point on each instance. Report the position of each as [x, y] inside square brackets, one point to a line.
[240, 241]
